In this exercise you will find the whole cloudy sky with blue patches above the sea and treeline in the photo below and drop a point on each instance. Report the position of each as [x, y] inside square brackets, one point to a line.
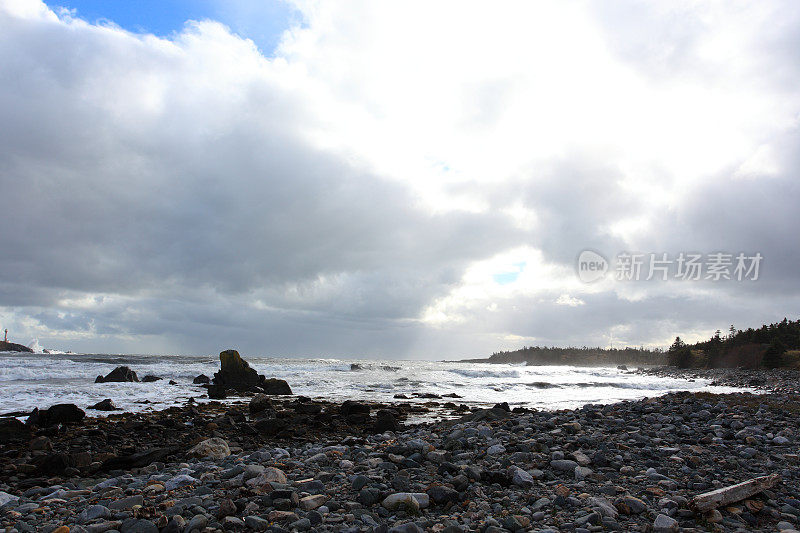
[395, 179]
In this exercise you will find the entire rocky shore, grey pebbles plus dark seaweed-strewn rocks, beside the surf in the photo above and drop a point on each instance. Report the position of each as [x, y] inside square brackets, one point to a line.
[633, 465]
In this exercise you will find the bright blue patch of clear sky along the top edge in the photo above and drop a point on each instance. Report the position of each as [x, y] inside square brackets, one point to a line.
[261, 21]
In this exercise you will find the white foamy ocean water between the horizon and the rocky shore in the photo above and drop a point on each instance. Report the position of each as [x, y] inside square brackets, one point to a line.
[40, 380]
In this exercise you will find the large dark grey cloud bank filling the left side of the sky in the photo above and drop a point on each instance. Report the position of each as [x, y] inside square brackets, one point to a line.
[196, 197]
